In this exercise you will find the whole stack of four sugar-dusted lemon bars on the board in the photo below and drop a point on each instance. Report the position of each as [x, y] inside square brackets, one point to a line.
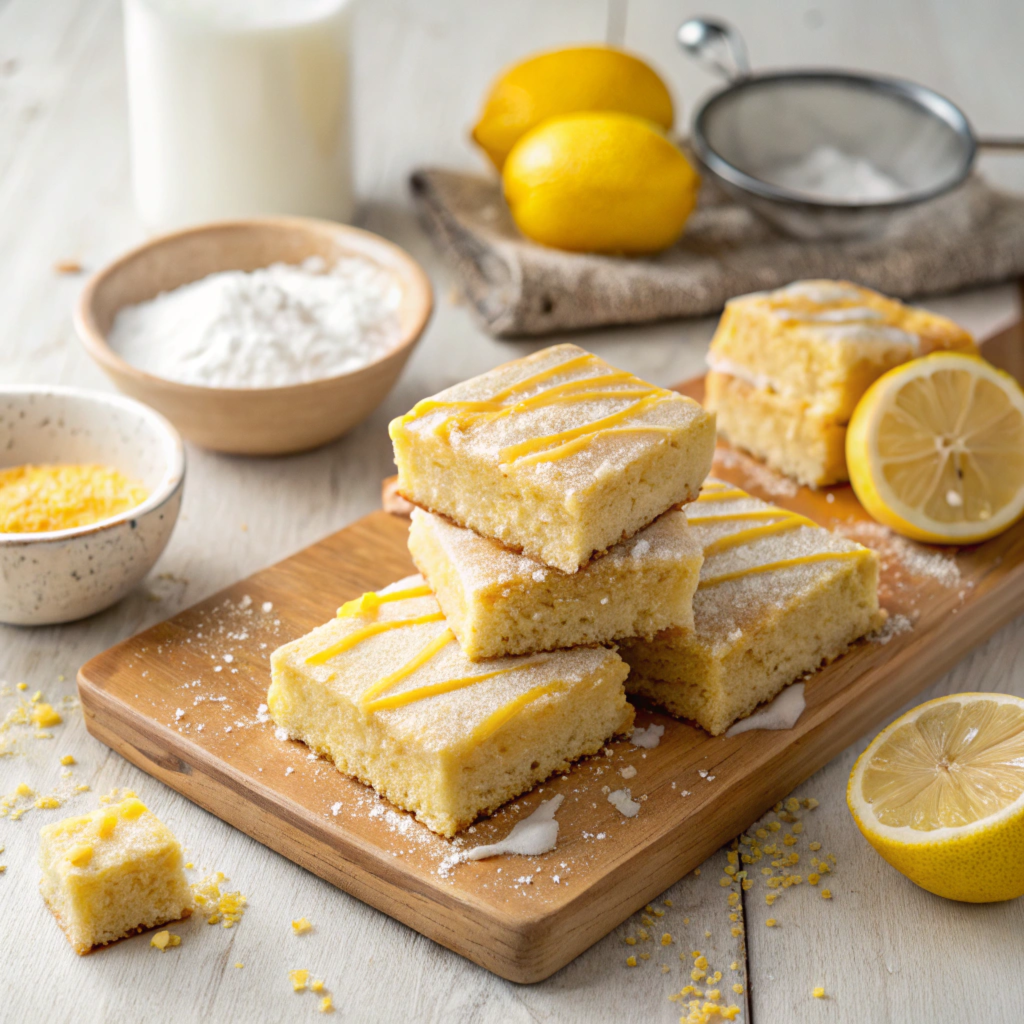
[572, 551]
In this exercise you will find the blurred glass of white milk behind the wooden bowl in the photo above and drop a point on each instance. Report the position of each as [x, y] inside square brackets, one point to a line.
[239, 108]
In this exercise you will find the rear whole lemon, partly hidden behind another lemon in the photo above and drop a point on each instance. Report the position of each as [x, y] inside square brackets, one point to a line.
[584, 78]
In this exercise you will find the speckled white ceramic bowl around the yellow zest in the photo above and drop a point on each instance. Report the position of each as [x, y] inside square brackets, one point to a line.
[70, 574]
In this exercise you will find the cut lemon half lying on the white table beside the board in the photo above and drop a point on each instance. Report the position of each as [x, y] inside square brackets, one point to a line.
[941, 795]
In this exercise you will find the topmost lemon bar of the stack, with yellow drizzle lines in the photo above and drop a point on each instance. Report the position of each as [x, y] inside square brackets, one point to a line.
[558, 455]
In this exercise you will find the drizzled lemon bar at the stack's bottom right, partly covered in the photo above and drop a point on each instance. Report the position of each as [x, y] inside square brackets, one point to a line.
[779, 596]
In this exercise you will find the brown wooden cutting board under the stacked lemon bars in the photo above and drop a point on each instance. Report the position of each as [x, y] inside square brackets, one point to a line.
[182, 702]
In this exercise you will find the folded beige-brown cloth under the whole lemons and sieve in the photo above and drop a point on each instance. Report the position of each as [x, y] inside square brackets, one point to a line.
[972, 237]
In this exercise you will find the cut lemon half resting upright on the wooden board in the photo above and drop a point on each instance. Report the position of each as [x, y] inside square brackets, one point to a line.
[936, 450]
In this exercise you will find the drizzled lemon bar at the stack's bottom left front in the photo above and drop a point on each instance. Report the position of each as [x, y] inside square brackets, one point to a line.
[386, 692]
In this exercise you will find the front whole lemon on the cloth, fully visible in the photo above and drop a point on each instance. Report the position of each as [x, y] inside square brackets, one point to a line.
[602, 184]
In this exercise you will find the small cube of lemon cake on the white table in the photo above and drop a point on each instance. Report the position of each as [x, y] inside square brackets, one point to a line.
[112, 873]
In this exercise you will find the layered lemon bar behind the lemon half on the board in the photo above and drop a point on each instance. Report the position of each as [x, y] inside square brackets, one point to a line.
[788, 369]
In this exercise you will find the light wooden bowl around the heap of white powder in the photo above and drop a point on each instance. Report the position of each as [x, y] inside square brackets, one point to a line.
[252, 421]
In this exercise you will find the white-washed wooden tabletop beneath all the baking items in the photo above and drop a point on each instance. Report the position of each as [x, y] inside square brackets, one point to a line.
[883, 950]
